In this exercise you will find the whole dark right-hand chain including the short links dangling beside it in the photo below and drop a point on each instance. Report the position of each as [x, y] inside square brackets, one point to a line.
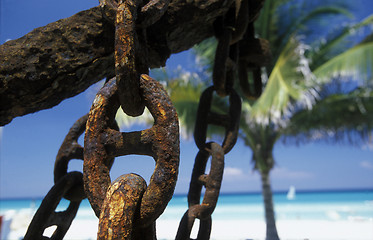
[235, 34]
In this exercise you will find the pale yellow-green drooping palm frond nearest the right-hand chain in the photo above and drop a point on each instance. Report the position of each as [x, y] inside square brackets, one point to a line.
[290, 80]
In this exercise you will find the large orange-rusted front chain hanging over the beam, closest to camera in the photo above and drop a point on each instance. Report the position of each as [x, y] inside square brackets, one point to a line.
[127, 208]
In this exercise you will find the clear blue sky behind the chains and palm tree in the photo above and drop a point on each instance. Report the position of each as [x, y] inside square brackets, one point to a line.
[29, 144]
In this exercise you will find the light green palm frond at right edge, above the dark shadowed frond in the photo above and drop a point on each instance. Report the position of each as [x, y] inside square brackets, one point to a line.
[356, 62]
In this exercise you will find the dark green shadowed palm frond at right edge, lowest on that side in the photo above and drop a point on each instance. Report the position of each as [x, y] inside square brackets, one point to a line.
[338, 116]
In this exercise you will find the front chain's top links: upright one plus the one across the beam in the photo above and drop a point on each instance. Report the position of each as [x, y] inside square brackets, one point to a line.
[130, 49]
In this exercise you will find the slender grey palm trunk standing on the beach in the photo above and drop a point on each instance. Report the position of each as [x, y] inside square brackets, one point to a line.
[271, 232]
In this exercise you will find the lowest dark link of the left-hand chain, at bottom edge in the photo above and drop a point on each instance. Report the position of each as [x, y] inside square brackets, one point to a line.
[46, 215]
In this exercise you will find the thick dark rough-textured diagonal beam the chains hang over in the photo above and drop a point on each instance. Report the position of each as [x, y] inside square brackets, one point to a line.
[63, 58]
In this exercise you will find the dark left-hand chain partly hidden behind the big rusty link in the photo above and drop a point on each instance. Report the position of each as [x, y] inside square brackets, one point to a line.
[67, 185]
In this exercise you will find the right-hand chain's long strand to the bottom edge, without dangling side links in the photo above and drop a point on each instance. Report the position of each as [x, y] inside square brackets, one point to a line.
[223, 79]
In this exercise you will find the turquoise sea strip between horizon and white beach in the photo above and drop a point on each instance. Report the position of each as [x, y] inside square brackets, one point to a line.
[332, 205]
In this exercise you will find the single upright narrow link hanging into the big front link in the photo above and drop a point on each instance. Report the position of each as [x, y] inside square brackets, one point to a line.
[128, 64]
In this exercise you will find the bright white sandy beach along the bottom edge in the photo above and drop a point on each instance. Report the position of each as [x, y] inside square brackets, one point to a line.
[229, 229]
